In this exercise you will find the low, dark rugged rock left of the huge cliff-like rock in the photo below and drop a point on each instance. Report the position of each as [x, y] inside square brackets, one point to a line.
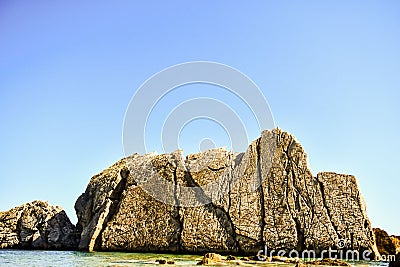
[37, 225]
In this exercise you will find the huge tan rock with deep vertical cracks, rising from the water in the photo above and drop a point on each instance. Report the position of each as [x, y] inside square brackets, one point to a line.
[274, 200]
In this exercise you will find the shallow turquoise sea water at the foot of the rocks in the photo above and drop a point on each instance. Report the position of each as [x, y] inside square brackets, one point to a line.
[72, 258]
